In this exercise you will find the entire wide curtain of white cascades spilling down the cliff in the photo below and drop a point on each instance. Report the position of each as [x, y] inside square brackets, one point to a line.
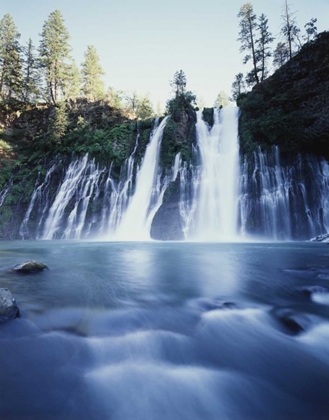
[265, 198]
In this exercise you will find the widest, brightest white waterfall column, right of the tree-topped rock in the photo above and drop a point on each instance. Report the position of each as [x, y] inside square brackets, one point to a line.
[216, 213]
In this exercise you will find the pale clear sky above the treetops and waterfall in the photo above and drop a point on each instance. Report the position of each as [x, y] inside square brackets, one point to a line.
[141, 43]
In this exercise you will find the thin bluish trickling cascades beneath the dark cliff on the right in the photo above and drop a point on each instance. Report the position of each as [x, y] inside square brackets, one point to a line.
[283, 202]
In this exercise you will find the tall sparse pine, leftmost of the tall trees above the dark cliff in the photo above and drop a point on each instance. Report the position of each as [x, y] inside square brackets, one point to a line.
[247, 33]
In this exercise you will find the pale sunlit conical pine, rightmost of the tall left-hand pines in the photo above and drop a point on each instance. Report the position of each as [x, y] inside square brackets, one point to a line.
[93, 86]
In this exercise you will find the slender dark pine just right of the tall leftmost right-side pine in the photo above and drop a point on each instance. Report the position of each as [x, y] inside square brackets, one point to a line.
[263, 51]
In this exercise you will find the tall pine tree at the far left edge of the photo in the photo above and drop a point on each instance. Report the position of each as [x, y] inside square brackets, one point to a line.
[11, 77]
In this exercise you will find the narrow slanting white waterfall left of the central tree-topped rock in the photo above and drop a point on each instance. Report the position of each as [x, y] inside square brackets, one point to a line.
[136, 221]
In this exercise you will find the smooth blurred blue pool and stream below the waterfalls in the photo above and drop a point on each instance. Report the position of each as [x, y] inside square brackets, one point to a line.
[166, 331]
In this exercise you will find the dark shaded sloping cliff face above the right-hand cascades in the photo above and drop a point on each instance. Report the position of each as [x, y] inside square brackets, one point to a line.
[290, 109]
